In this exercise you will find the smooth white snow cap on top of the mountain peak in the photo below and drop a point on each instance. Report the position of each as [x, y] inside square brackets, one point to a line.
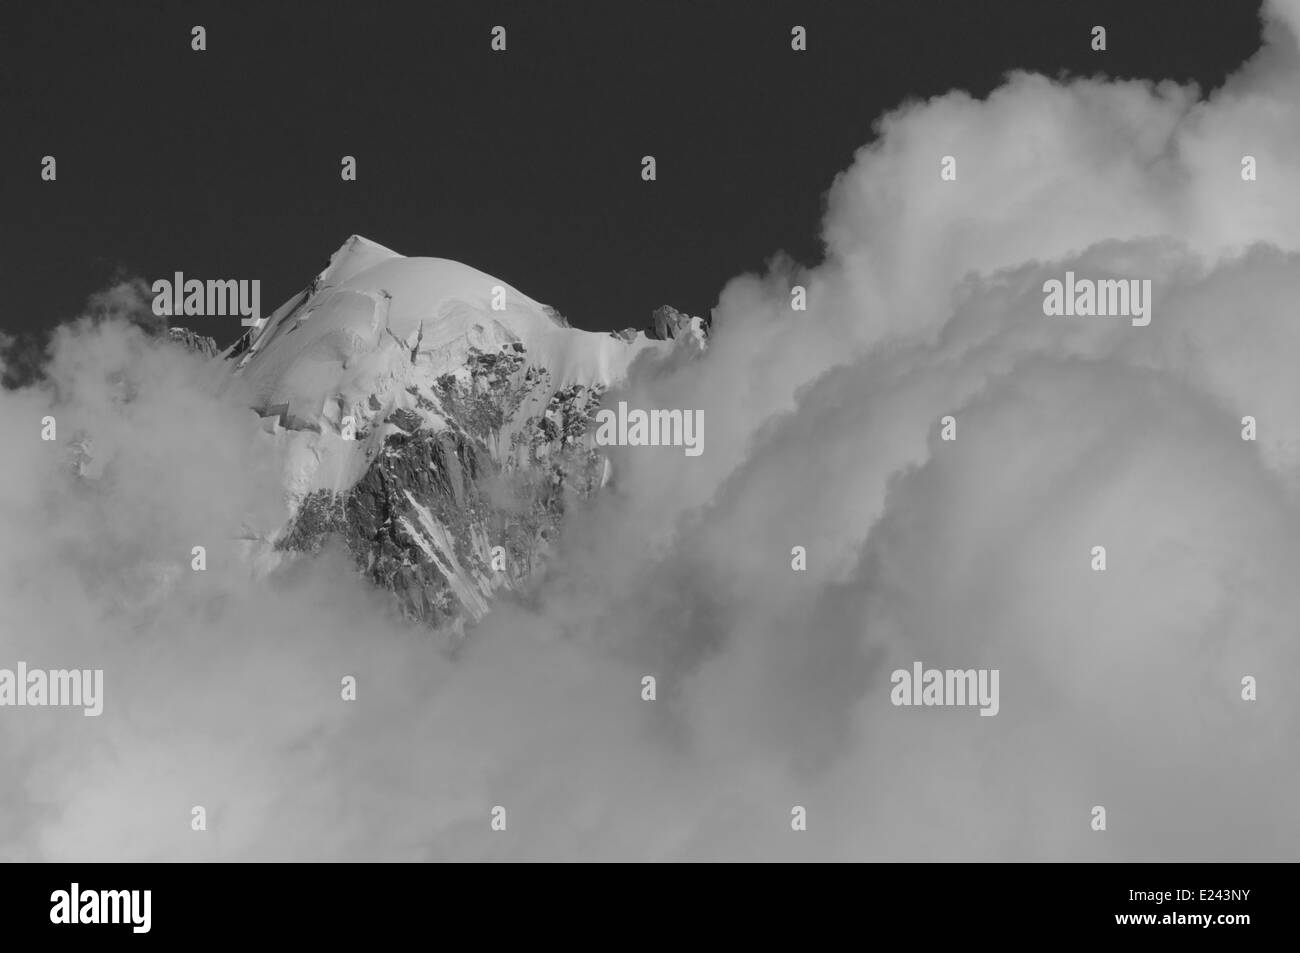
[376, 323]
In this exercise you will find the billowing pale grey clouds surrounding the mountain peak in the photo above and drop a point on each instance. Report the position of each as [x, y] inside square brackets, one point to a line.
[1119, 688]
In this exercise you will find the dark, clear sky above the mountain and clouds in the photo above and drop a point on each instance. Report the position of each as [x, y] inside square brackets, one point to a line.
[226, 164]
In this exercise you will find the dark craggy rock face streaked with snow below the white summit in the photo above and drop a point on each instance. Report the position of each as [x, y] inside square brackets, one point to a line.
[436, 503]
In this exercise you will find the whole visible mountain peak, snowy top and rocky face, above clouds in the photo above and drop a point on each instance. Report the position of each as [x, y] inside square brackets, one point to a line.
[428, 414]
